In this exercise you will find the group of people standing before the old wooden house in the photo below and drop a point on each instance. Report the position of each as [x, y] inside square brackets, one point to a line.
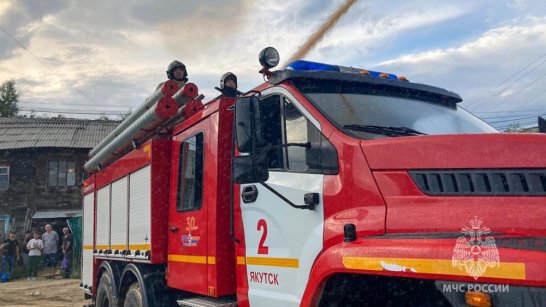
[37, 249]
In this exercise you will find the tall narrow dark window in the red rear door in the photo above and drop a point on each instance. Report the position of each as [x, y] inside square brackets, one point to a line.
[190, 175]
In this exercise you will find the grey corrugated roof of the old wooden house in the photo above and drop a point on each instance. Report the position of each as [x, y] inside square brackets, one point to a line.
[16, 133]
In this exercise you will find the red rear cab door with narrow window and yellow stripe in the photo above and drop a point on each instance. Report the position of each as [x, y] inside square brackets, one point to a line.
[188, 214]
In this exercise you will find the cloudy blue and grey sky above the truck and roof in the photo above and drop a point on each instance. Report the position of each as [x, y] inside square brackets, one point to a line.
[108, 56]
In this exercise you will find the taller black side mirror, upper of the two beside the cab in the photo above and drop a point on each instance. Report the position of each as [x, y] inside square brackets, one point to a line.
[248, 124]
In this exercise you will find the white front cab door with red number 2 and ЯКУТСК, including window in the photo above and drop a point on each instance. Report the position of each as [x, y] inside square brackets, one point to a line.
[282, 242]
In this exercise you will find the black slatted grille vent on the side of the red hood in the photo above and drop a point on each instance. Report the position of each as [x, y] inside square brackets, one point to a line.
[486, 182]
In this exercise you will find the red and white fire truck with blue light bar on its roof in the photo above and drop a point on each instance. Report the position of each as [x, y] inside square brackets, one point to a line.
[325, 185]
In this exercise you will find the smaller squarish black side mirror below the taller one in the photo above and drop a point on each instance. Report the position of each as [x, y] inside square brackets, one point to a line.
[250, 168]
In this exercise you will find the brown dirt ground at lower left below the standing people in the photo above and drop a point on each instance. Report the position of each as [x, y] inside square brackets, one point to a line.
[42, 292]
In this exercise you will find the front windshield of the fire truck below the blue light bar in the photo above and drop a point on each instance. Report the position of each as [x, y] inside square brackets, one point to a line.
[372, 117]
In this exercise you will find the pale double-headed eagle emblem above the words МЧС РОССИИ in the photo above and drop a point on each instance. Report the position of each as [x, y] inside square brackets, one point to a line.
[472, 252]
